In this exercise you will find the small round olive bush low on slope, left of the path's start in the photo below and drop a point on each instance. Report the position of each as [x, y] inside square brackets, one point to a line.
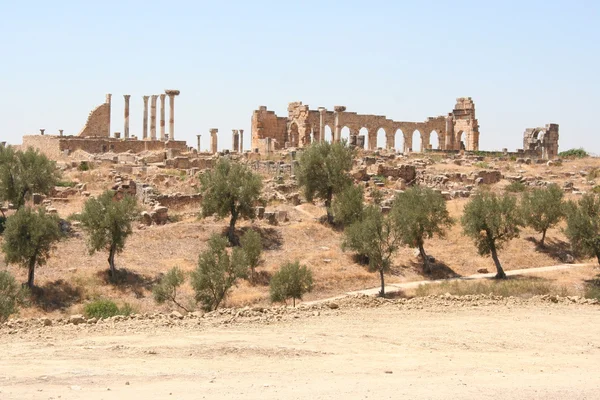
[291, 281]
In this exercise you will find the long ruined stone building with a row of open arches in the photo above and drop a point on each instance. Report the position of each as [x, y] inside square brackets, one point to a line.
[458, 130]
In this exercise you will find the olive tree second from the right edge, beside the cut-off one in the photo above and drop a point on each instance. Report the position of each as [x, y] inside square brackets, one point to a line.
[543, 208]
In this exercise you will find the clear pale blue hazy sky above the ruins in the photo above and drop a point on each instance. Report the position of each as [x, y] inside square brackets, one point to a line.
[524, 63]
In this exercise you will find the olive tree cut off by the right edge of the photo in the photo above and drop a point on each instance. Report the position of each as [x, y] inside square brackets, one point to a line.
[583, 225]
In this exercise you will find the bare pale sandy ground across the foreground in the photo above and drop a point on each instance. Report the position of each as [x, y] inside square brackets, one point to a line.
[523, 351]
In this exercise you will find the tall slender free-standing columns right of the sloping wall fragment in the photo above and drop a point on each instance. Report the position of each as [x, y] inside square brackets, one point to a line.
[153, 100]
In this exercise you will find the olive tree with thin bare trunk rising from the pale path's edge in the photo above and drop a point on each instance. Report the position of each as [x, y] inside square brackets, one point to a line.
[375, 237]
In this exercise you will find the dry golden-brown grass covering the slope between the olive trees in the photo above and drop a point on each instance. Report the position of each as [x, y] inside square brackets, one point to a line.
[72, 277]
